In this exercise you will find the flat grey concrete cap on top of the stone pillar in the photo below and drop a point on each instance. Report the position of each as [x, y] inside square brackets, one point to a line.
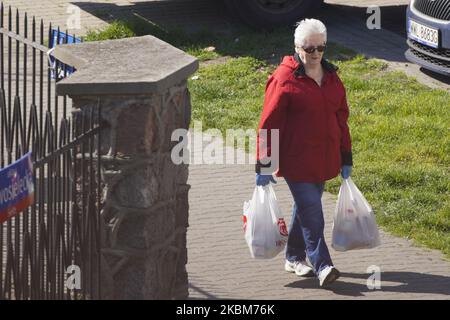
[139, 65]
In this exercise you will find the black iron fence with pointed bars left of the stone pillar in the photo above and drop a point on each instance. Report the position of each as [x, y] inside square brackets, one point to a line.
[43, 248]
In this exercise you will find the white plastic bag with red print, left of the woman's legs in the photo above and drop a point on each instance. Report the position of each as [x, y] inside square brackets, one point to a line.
[264, 225]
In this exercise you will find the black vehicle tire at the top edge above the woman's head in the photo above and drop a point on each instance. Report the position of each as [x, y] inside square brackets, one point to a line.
[269, 14]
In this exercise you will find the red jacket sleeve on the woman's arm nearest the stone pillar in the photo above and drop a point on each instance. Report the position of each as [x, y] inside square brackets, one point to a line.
[273, 116]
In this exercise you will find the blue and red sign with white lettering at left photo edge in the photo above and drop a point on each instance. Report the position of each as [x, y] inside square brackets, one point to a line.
[16, 187]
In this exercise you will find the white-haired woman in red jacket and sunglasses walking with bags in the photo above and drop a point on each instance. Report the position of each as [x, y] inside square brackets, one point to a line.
[306, 101]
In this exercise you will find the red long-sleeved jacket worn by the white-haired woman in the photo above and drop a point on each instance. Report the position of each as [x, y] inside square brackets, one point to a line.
[312, 121]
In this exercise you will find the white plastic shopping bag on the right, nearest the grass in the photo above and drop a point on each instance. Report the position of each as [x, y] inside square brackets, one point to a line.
[354, 225]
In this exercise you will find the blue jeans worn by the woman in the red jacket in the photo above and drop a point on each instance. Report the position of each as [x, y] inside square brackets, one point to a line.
[307, 225]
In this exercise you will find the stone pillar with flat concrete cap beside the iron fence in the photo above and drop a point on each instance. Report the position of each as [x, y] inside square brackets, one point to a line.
[140, 86]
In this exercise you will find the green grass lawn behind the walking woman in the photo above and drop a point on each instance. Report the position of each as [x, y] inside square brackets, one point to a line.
[400, 128]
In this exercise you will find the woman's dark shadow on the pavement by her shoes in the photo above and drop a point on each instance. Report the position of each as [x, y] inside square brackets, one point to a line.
[400, 282]
